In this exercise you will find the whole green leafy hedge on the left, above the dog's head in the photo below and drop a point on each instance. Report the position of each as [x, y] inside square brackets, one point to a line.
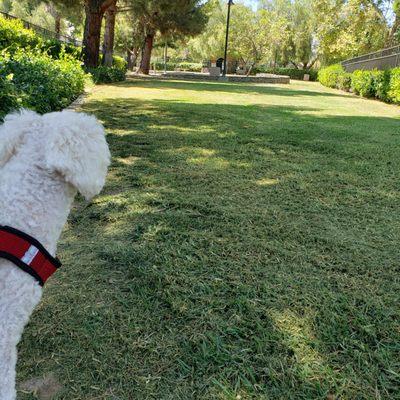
[40, 74]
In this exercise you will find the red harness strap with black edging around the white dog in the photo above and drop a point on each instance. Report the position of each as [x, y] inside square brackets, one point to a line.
[27, 253]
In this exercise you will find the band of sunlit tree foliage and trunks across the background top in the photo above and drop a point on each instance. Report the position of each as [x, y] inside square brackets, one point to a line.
[299, 33]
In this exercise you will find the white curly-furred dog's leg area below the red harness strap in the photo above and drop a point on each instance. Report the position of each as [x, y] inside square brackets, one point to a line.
[18, 297]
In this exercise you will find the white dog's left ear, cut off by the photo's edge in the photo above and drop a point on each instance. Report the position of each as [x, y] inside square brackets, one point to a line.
[13, 130]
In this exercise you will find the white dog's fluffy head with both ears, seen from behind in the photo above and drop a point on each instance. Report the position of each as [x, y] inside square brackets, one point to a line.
[73, 146]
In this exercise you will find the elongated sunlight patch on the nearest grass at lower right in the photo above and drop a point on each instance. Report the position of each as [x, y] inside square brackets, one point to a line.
[299, 337]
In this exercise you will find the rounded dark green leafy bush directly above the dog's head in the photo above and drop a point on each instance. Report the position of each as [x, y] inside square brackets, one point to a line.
[44, 84]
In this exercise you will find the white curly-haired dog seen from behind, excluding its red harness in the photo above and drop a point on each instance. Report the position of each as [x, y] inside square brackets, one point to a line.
[44, 161]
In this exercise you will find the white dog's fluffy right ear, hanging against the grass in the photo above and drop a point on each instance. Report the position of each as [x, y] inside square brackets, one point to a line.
[77, 149]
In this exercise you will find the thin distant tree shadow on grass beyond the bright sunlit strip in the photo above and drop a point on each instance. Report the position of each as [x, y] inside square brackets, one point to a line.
[244, 88]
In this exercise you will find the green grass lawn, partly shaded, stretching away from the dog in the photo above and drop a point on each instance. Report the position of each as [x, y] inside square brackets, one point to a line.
[246, 246]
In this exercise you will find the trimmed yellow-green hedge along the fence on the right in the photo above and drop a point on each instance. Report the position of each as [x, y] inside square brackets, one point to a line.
[382, 85]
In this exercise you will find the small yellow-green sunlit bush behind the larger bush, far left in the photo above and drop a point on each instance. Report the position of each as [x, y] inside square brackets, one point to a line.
[14, 36]
